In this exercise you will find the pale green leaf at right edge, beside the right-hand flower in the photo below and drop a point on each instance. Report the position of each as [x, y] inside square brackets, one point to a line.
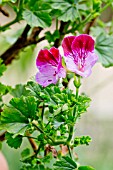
[104, 49]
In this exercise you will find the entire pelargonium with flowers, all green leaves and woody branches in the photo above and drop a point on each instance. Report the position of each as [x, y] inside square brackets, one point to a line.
[45, 110]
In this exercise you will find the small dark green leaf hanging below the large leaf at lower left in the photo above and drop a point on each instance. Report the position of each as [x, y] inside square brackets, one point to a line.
[13, 142]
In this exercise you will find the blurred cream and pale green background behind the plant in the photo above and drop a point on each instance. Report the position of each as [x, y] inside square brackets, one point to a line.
[97, 122]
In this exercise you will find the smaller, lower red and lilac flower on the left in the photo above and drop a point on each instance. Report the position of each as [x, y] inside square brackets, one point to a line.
[49, 64]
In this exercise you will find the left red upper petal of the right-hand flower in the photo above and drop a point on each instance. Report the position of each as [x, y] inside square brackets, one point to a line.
[66, 44]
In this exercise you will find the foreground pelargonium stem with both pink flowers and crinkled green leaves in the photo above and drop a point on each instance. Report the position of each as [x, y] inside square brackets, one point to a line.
[46, 110]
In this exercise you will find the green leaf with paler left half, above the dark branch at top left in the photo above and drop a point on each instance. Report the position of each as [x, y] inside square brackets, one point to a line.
[37, 19]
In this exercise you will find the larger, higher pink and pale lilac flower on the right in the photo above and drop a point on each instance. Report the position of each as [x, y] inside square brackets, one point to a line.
[79, 54]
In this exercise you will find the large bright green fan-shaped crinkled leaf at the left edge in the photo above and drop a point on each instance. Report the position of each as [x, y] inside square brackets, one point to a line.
[19, 110]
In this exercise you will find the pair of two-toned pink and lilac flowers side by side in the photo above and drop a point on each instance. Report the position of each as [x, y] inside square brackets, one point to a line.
[79, 58]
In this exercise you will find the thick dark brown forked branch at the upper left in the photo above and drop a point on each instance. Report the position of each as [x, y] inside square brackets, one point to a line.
[22, 42]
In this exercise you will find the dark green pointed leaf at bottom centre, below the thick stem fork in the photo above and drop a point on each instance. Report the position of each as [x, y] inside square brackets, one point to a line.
[66, 163]
